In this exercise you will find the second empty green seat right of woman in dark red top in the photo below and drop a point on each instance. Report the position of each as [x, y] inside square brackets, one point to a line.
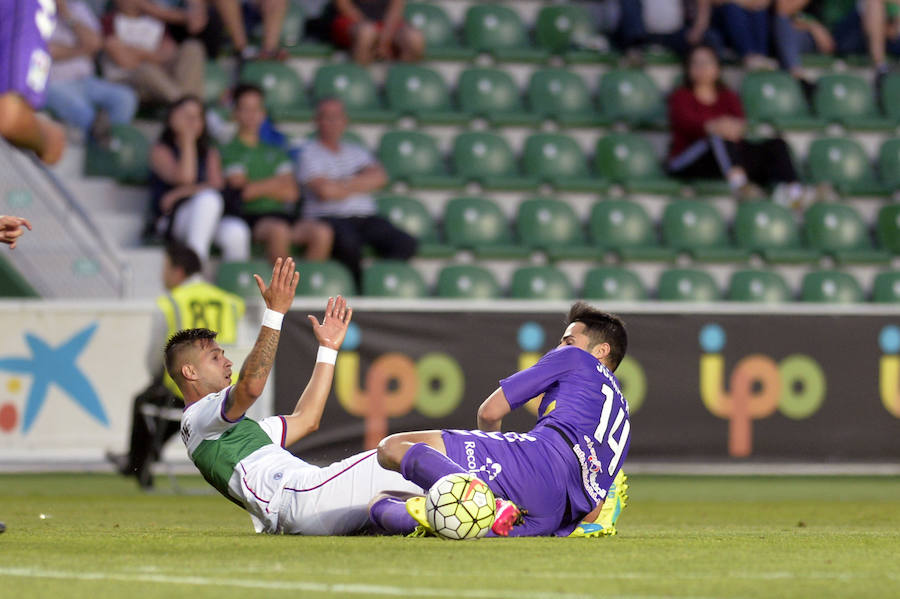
[848, 99]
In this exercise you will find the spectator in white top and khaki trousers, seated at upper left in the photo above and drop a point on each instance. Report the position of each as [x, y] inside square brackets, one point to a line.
[140, 52]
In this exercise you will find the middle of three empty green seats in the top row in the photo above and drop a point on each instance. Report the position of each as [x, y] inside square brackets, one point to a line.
[498, 30]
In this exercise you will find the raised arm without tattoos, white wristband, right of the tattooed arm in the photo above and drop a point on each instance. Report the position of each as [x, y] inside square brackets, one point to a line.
[330, 335]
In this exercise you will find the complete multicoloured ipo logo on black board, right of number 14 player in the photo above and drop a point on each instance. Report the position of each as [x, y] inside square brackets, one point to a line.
[757, 387]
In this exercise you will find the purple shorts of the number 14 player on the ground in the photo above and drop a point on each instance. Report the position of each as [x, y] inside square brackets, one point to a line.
[521, 467]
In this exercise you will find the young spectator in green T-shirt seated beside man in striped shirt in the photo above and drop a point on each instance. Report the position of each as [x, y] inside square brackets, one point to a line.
[263, 176]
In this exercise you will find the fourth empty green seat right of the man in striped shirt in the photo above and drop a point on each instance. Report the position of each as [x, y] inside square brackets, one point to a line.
[625, 227]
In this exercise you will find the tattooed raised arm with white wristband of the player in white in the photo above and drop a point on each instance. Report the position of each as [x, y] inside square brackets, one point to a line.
[278, 297]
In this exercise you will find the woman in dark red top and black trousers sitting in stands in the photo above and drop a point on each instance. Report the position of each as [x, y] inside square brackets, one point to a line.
[708, 129]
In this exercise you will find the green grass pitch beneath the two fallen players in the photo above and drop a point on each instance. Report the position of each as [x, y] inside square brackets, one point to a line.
[686, 537]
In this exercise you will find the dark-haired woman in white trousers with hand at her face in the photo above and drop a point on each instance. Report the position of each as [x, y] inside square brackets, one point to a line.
[186, 182]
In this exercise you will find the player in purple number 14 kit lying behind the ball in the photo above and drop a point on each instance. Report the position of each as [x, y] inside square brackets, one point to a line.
[559, 472]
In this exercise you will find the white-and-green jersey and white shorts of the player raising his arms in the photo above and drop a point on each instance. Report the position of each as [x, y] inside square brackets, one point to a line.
[246, 462]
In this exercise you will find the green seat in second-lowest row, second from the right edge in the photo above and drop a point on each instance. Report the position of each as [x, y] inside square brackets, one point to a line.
[838, 230]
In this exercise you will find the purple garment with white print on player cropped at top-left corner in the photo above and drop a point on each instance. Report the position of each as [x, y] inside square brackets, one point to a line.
[25, 27]
